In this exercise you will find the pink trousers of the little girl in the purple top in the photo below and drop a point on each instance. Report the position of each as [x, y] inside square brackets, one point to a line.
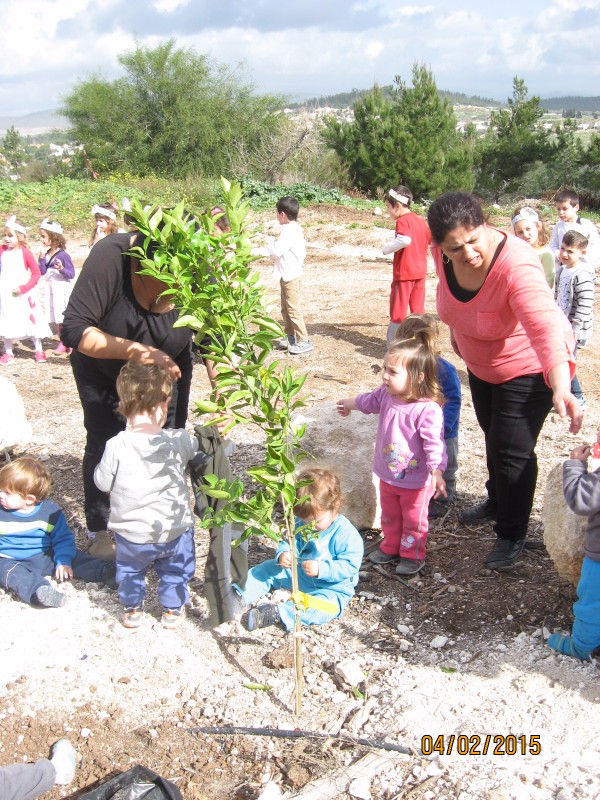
[404, 520]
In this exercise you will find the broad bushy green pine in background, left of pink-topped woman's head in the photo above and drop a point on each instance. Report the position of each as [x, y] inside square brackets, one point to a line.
[407, 136]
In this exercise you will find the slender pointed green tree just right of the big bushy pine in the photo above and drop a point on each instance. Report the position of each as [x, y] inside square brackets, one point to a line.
[514, 142]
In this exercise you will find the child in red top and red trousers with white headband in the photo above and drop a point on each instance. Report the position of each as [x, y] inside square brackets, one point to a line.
[409, 247]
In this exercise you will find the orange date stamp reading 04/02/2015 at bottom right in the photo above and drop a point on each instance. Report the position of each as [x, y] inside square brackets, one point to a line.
[476, 745]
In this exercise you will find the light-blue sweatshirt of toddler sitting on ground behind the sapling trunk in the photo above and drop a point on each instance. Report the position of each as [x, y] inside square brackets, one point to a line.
[338, 549]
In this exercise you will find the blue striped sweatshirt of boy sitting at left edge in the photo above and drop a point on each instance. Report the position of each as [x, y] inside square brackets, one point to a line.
[24, 534]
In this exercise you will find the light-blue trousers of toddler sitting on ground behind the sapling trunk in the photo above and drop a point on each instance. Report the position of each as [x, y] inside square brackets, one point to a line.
[267, 576]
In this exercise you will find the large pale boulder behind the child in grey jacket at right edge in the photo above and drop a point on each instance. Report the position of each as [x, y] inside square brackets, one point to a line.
[563, 530]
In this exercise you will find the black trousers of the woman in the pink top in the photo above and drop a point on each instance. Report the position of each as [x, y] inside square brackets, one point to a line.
[511, 416]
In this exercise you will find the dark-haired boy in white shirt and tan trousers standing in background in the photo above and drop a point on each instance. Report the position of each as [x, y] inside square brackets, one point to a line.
[288, 253]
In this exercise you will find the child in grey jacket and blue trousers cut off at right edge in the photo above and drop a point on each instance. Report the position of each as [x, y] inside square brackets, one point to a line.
[582, 493]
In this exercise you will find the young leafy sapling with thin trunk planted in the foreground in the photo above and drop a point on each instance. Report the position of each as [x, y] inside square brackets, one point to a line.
[209, 276]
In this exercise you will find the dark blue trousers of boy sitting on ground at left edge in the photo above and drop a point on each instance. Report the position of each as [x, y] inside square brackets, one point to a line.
[24, 577]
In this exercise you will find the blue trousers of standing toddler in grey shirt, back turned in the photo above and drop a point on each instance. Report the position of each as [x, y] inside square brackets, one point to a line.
[174, 562]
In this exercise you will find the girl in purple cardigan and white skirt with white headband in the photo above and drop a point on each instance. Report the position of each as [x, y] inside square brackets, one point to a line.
[58, 268]
